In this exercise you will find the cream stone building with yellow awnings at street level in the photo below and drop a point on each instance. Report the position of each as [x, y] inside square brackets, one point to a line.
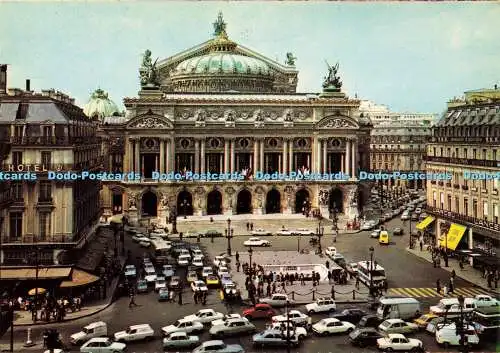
[466, 144]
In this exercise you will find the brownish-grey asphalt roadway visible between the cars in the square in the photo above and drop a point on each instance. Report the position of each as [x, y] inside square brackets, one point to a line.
[403, 271]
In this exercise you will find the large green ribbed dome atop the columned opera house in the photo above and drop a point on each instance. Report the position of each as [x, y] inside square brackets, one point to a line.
[222, 62]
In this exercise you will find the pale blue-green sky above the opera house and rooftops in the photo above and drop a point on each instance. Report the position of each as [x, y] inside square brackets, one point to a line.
[411, 57]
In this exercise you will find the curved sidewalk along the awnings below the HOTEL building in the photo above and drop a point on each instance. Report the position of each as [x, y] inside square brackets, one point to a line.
[23, 318]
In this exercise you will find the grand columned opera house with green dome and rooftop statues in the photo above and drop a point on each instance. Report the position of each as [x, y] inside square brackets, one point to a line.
[220, 107]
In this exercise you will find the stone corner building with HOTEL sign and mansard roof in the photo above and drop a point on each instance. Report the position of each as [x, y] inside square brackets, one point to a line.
[47, 132]
